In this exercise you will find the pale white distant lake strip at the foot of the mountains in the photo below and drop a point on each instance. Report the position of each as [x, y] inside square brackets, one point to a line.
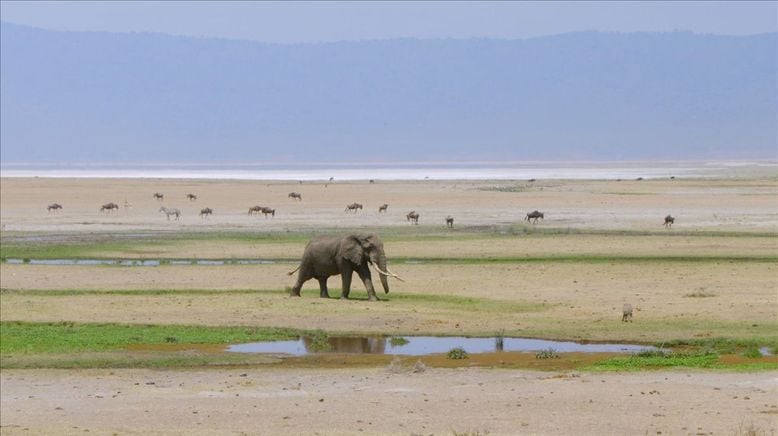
[398, 171]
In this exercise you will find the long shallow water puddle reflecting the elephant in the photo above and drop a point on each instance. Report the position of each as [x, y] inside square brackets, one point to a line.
[424, 345]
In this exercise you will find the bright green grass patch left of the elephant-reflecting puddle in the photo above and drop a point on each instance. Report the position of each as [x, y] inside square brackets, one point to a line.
[65, 337]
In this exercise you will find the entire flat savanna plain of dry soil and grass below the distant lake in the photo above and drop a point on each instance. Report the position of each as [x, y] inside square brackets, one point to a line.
[105, 347]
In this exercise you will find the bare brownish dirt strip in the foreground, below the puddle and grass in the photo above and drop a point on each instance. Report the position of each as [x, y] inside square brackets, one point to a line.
[379, 401]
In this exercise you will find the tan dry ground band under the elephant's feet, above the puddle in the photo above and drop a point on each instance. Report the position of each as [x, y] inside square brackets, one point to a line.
[561, 298]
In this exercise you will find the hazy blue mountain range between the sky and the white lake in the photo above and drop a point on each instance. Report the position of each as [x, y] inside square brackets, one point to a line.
[96, 96]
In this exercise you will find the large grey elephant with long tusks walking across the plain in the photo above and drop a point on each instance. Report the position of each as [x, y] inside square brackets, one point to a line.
[329, 256]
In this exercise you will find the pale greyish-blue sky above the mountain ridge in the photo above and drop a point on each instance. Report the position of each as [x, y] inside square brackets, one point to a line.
[311, 22]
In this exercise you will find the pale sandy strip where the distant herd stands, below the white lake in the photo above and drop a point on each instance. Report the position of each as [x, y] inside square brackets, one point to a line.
[711, 204]
